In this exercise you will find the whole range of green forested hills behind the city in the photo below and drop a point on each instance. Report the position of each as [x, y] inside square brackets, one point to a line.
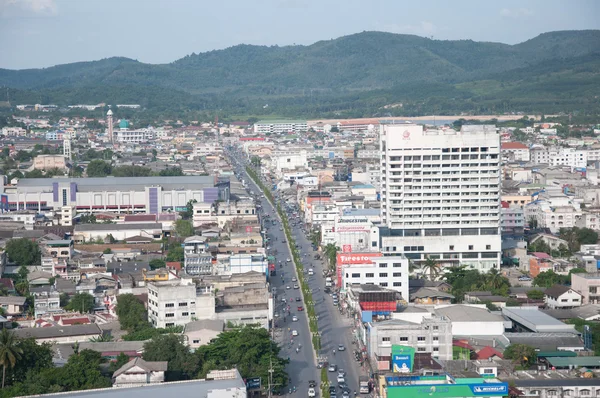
[362, 71]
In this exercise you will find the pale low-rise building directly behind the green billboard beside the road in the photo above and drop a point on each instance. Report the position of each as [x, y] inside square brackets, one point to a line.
[431, 335]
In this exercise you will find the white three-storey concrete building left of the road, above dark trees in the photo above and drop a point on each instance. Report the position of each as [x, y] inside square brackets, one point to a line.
[176, 302]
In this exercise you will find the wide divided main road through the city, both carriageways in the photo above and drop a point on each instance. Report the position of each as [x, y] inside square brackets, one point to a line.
[335, 328]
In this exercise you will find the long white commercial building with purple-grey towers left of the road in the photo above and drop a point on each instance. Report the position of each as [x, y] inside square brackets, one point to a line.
[152, 195]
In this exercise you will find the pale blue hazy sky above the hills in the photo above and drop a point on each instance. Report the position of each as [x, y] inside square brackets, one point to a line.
[42, 33]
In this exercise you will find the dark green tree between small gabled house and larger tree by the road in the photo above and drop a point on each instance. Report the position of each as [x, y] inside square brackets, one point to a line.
[182, 364]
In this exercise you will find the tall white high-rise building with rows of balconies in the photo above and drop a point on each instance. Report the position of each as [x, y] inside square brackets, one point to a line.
[440, 194]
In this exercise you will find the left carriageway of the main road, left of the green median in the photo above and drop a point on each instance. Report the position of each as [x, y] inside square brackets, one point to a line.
[302, 367]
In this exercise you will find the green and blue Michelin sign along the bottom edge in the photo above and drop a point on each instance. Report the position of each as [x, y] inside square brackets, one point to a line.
[449, 390]
